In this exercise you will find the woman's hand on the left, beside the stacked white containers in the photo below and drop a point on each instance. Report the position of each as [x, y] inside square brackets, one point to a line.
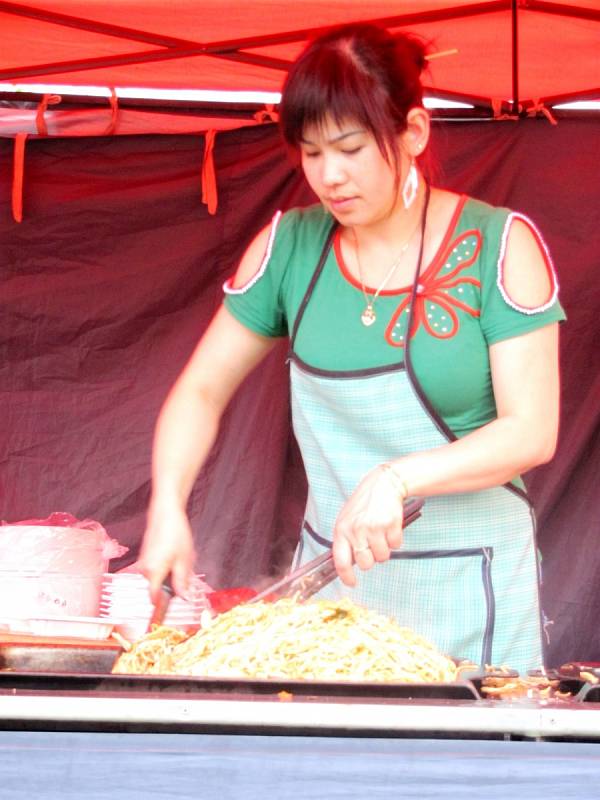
[167, 548]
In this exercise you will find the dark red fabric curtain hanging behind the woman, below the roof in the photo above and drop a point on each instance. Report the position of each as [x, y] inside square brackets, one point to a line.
[115, 271]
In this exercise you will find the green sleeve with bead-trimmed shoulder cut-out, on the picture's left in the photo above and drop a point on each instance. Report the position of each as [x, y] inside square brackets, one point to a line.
[253, 294]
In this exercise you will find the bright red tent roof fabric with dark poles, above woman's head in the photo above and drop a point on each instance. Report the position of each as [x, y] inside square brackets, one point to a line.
[246, 44]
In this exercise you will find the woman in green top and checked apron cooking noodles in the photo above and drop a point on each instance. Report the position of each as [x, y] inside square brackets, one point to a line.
[423, 358]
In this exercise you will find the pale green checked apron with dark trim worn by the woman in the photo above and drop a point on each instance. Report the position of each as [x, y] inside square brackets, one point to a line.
[466, 576]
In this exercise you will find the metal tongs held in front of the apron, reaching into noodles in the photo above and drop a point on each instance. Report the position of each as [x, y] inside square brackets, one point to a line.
[307, 580]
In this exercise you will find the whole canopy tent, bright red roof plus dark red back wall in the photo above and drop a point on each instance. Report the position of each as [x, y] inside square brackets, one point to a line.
[117, 264]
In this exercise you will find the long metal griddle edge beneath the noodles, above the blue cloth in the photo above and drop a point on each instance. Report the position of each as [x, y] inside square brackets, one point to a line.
[182, 704]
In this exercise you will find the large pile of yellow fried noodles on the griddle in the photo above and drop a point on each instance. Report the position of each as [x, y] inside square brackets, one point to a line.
[317, 640]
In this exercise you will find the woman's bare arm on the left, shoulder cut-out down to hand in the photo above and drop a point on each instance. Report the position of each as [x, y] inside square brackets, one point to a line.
[187, 429]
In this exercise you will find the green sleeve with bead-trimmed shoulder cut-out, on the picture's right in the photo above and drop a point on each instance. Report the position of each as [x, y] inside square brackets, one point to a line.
[519, 283]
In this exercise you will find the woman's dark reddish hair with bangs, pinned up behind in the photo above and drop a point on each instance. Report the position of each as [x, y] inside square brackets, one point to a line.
[359, 72]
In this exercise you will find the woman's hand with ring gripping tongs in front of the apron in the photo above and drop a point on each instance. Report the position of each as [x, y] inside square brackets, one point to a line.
[369, 525]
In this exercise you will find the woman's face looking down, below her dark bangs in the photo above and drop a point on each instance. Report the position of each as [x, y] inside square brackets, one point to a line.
[347, 171]
